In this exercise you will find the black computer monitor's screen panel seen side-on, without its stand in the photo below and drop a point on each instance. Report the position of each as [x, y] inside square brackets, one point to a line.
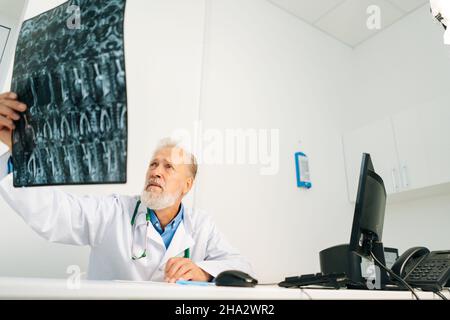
[368, 219]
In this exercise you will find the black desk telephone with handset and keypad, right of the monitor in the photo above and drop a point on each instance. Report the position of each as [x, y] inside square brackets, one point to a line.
[423, 269]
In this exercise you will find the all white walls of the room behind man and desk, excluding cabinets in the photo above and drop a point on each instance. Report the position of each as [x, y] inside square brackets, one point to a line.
[262, 69]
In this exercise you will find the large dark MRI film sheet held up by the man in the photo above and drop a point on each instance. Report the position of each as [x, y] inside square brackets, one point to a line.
[69, 70]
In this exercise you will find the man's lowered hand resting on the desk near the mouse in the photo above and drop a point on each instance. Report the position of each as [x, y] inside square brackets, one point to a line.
[184, 269]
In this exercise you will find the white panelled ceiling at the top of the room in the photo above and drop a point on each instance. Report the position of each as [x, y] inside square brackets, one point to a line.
[346, 20]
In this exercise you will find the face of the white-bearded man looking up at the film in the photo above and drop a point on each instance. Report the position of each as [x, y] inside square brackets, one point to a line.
[168, 178]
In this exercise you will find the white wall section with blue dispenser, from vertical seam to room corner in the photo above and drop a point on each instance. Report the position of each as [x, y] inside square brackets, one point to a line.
[266, 69]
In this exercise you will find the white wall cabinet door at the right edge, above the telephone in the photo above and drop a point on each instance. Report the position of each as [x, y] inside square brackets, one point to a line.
[423, 143]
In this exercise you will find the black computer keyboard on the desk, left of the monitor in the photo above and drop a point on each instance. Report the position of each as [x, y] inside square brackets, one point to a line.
[334, 280]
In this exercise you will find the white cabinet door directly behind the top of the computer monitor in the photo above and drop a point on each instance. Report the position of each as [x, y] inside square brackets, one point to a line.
[377, 139]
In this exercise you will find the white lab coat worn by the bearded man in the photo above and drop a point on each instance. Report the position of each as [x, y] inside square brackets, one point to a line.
[104, 223]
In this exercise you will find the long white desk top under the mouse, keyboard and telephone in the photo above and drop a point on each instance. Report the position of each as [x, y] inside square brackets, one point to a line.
[32, 288]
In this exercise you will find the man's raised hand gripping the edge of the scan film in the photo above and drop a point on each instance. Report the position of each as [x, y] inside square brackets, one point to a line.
[9, 111]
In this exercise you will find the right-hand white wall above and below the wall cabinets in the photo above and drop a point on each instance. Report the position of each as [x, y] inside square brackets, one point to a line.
[405, 66]
